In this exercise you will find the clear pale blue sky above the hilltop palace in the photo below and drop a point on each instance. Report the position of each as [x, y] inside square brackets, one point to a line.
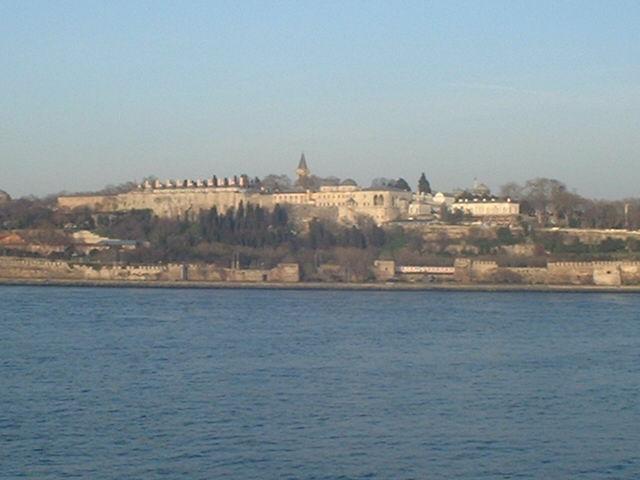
[96, 93]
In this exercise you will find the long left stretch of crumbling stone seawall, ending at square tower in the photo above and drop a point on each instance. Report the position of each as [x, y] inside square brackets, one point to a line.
[38, 269]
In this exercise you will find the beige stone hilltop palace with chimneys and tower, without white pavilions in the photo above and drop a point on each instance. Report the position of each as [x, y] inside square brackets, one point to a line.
[186, 198]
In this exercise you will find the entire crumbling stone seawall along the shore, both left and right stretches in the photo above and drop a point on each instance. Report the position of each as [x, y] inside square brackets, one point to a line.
[466, 271]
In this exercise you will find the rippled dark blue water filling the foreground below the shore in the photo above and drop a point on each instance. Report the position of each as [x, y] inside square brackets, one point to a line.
[126, 383]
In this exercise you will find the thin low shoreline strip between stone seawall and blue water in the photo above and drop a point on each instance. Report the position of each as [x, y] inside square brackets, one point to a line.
[331, 286]
